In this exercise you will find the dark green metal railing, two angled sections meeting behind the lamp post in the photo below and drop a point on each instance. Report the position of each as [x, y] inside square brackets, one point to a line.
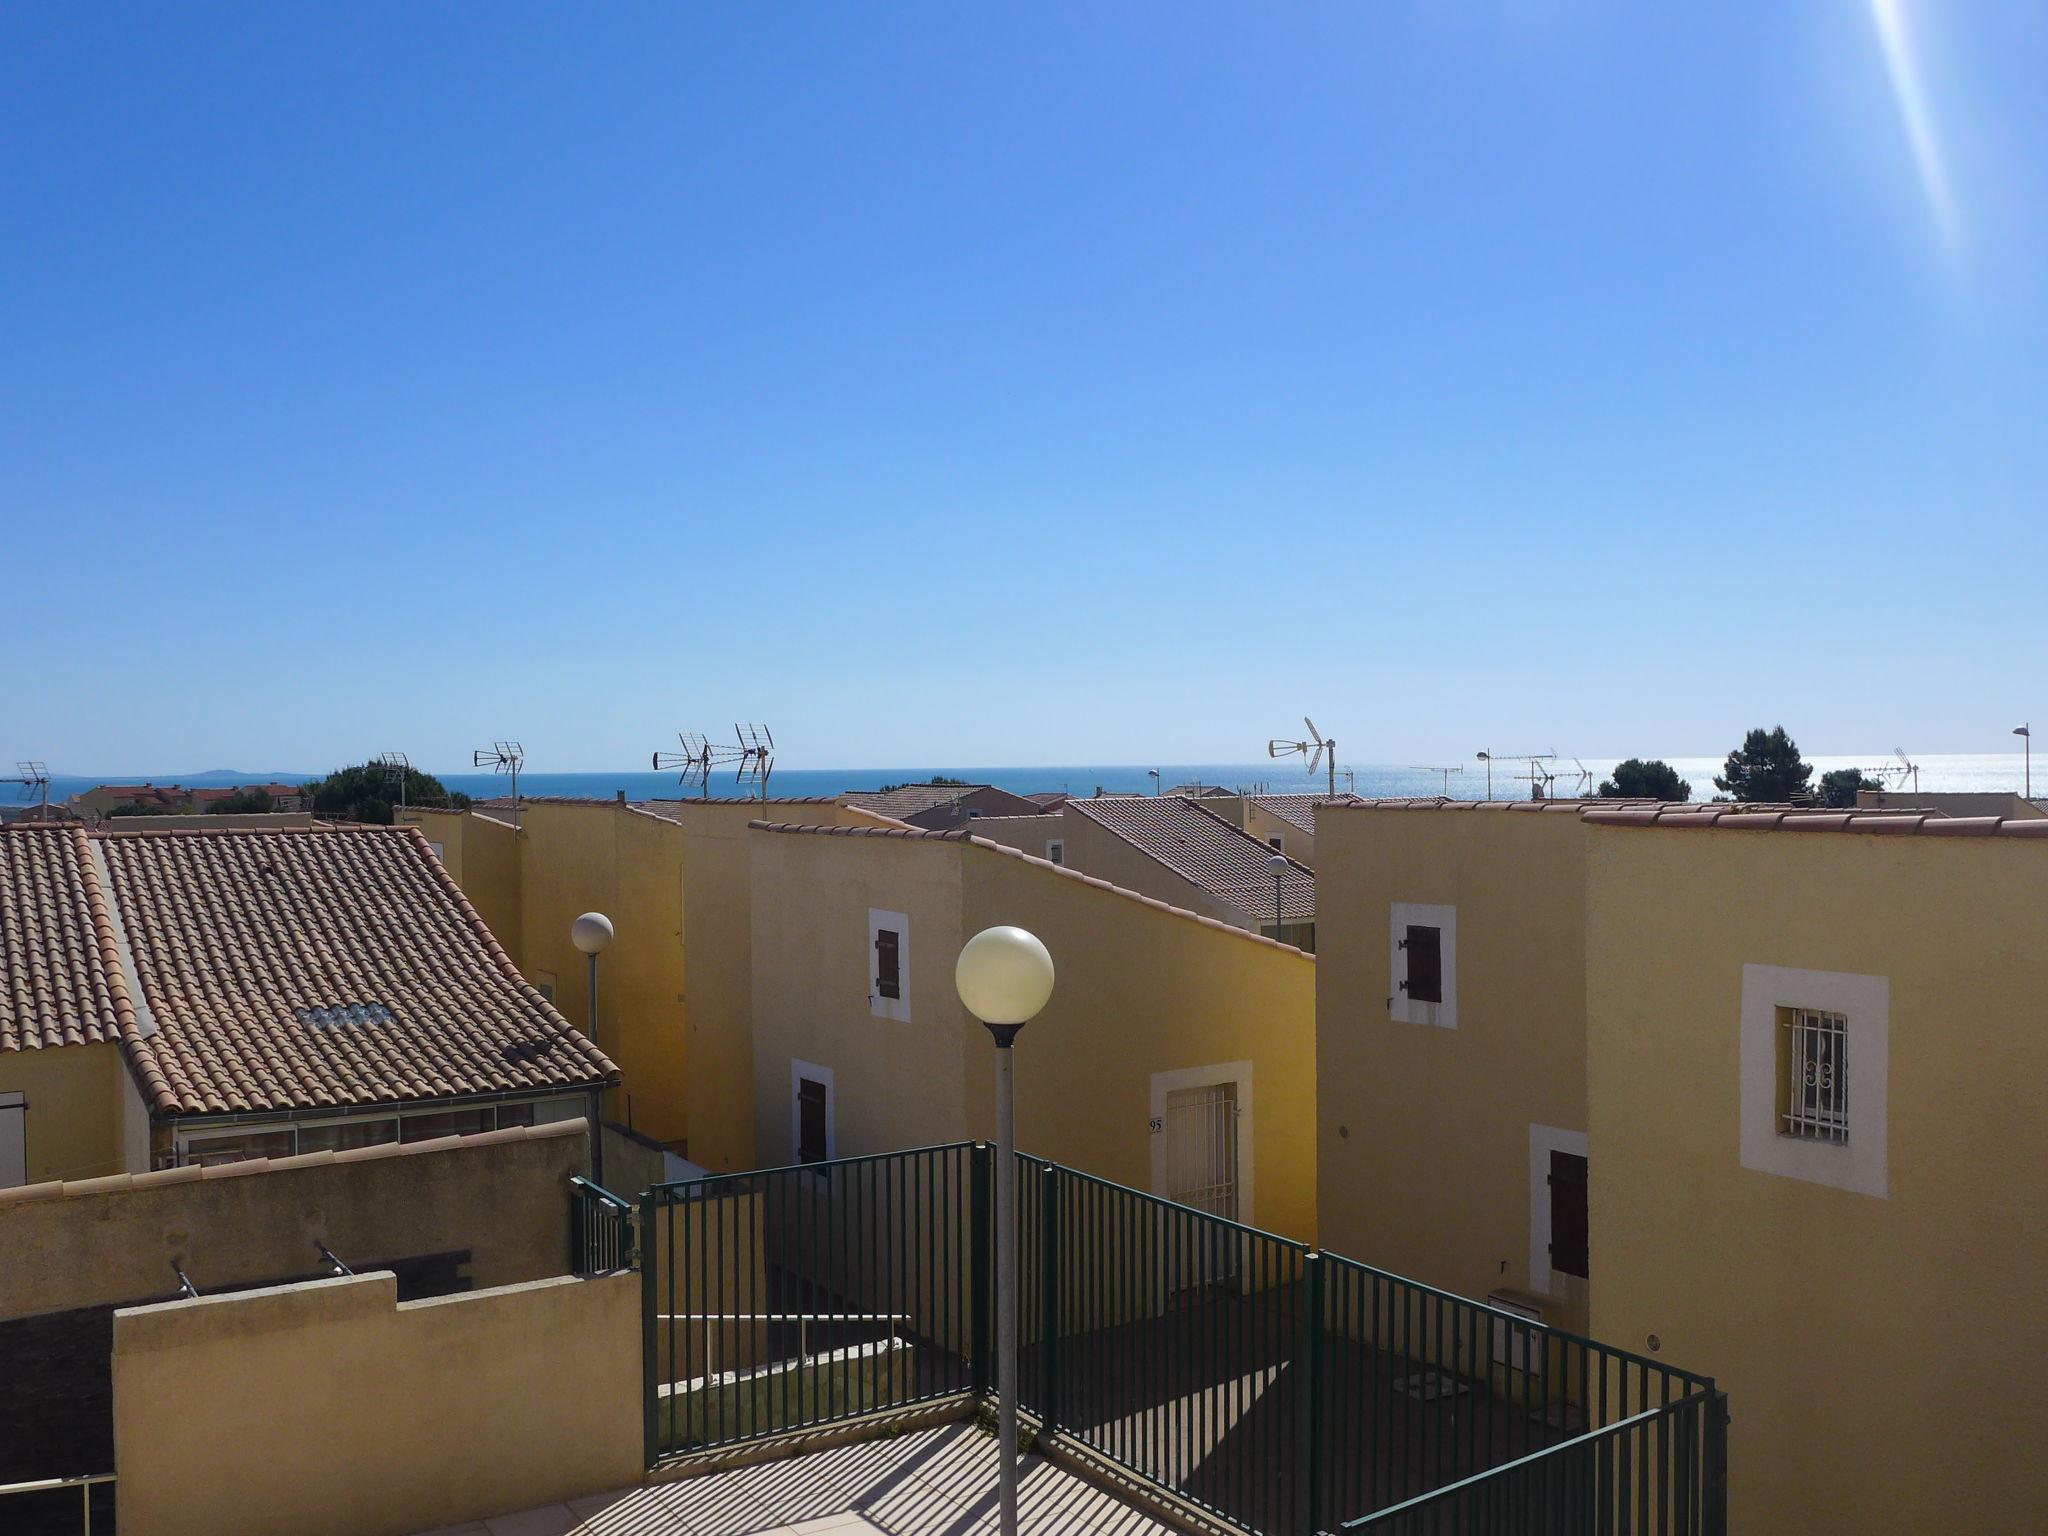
[1283, 1390]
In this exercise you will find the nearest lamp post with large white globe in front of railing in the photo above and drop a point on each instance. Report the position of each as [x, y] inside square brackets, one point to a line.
[1005, 976]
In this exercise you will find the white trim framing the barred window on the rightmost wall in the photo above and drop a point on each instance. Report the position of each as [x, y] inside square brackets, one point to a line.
[1861, 1164]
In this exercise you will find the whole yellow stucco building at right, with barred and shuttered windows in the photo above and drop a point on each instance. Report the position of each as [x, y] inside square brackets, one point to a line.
[1754, 1091]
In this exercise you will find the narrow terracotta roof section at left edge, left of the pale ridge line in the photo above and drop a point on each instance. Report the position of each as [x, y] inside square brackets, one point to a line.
[58, 968]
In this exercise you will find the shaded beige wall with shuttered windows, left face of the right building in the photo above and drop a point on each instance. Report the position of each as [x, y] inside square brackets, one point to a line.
[1424, 1134]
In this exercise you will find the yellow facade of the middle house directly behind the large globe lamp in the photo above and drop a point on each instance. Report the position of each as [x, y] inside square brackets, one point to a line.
[1148, 1002]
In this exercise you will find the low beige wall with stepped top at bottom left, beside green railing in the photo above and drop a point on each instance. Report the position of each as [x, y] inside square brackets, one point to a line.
[333, 1410]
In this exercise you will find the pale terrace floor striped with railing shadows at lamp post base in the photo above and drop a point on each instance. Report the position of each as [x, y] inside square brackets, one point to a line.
[925, 1484]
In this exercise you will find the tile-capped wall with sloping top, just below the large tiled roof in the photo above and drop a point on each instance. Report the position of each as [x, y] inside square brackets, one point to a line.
[114, 1240]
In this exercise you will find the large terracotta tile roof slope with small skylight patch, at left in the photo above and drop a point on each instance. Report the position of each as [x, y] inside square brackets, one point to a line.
[323, 970]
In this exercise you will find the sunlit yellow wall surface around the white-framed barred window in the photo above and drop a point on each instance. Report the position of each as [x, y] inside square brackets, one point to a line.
[1881, 1353]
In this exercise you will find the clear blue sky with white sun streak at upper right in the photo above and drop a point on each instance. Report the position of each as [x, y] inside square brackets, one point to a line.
[1035, 384]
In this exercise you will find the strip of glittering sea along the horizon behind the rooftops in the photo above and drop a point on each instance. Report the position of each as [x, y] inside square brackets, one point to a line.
[1990, 771]
